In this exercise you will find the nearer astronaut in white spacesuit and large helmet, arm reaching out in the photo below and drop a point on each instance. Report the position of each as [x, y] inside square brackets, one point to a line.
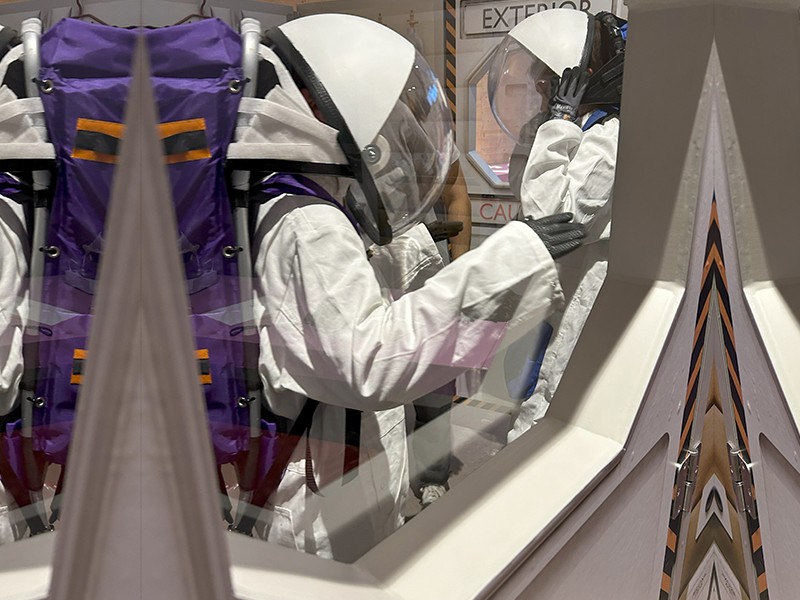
[327, 331]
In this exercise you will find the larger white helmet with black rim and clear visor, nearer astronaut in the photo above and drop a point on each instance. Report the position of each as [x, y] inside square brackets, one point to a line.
[394, 127]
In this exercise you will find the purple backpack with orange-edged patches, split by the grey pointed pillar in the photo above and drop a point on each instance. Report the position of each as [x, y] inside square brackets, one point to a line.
[84, 81]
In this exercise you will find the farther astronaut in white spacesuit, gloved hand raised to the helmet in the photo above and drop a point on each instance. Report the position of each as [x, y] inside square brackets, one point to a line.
[571, 162]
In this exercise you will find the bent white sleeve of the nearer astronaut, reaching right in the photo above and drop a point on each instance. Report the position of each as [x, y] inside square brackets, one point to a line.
[336, 336]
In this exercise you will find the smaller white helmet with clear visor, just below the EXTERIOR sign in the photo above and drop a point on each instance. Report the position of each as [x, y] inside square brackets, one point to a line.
[524, 63]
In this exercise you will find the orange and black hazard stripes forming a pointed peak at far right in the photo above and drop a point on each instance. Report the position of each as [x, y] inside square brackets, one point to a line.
[714, 278]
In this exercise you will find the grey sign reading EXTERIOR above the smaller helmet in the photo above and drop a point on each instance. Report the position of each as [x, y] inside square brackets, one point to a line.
[495, 17]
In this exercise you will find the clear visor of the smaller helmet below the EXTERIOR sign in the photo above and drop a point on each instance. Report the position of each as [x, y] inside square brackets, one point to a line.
[519, 86]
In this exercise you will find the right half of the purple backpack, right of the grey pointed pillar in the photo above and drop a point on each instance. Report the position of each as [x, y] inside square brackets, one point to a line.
[198, 93]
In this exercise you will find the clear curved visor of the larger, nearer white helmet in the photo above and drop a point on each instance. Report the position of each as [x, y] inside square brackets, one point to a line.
[410, 157]
